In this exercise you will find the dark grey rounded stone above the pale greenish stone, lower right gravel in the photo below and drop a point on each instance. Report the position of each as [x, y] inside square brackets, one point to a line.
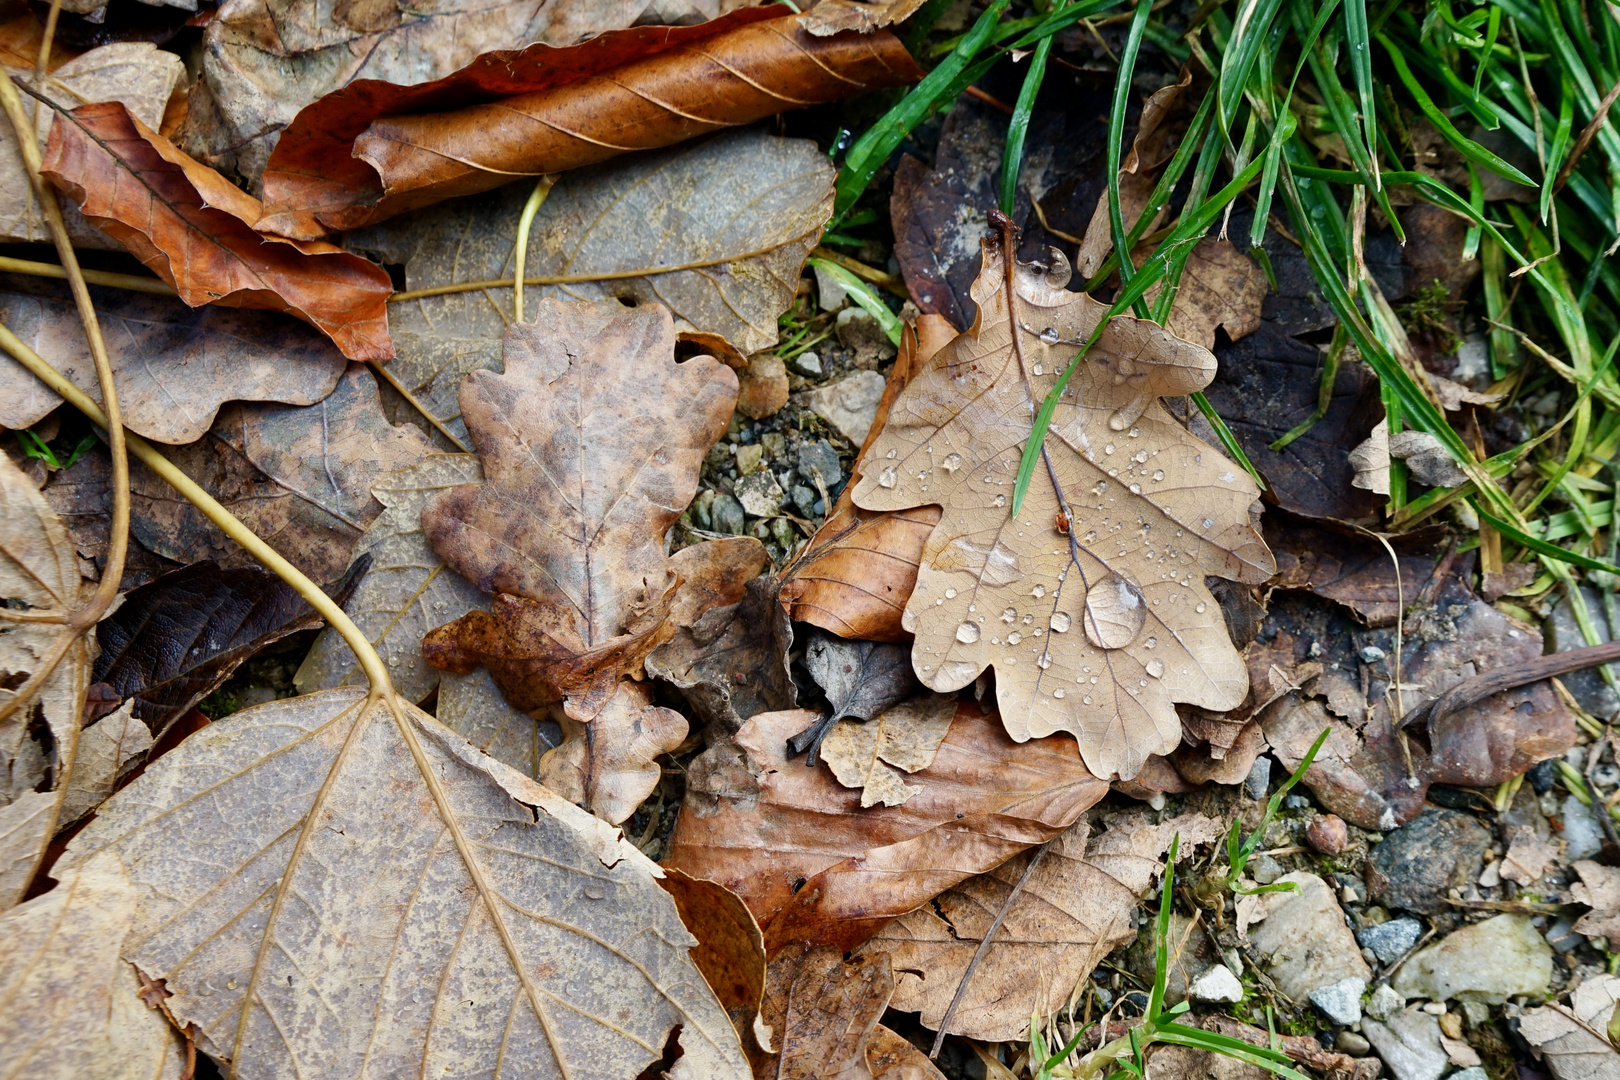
[1428, 857]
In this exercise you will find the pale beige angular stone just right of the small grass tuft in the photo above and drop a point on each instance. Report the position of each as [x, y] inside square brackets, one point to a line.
[1305, 942]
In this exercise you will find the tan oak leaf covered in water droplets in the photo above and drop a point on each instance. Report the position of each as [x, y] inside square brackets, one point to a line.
[1133, 627]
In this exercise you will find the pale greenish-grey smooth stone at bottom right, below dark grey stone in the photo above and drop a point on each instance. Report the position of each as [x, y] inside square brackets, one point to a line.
[1491, 961]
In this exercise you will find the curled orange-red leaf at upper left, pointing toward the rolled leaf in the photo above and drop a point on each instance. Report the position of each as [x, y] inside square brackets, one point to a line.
[195, 231]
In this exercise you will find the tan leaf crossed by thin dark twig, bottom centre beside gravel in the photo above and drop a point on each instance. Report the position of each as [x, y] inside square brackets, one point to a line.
[1075, 909]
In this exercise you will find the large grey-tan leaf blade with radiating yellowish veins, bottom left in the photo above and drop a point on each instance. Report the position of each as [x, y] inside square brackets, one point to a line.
[325, 851]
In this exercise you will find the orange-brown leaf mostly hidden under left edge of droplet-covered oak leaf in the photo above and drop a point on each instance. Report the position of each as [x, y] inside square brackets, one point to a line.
[859, 569]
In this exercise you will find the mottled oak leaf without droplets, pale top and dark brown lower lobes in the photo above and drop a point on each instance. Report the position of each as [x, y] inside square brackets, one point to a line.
[590, 444]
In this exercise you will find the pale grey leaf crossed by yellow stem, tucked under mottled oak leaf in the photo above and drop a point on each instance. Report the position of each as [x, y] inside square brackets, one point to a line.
[407, 590]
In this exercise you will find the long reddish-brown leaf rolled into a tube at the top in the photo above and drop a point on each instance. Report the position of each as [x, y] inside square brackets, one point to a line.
[555, 114]
